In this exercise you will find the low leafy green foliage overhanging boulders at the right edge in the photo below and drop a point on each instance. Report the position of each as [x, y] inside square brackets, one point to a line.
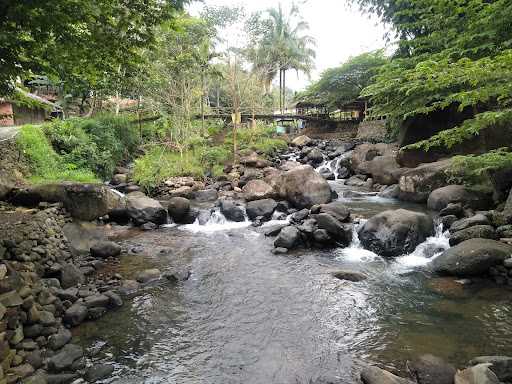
[477, 170]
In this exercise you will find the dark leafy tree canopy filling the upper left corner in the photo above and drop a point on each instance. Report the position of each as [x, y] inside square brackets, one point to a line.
[77, 42]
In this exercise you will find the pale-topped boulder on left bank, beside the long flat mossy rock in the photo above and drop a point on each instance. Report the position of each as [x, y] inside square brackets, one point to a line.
[143, 209]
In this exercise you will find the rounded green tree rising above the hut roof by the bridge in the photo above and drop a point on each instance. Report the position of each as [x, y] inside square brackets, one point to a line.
[344, 84]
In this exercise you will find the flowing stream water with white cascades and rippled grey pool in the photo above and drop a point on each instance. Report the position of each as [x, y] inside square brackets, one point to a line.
[248, 316]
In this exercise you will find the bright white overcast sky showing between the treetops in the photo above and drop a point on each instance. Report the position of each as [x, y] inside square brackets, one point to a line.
[340, 31]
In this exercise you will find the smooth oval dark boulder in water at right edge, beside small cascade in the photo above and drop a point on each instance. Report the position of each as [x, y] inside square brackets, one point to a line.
[472, 257]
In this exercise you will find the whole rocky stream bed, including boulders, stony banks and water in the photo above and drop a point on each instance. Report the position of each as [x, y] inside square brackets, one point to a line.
[330, 263]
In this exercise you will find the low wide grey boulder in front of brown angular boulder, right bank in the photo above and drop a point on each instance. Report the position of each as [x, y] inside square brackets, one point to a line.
[441, 197]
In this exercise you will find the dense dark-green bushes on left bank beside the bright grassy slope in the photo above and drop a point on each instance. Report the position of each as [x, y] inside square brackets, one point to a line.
[98, 144]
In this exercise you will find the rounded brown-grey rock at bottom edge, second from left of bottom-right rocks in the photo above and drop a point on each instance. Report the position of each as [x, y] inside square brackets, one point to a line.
[429, 369]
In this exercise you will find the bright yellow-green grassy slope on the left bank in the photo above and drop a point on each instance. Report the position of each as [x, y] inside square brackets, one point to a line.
[45, 164]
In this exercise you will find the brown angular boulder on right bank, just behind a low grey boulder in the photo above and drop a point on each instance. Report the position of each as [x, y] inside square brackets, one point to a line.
[418, 183]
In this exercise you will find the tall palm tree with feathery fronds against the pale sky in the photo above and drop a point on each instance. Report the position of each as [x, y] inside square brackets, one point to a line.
[283, 46]
